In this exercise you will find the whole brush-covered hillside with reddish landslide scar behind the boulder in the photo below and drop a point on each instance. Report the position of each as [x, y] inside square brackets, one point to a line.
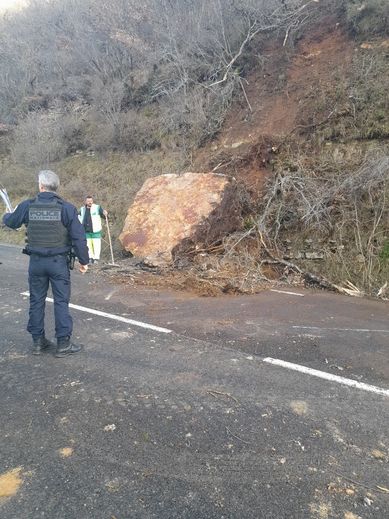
[298, 115]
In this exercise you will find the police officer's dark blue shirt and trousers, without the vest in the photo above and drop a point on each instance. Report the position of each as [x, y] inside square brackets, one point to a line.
[50, 266]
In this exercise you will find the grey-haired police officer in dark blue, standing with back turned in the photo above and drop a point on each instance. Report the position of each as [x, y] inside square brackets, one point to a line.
[53, 229]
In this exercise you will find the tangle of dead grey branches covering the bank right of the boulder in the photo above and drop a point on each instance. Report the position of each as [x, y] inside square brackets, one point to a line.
[350, 207]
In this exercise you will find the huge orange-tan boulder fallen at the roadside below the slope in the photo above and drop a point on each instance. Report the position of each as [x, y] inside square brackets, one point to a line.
[172, 214]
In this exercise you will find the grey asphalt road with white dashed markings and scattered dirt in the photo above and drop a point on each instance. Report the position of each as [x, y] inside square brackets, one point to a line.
[193, 423]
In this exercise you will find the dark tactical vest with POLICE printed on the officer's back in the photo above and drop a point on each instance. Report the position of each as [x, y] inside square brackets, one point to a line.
[45, 228]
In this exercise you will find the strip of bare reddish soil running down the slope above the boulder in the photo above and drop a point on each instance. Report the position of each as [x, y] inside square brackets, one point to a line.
[276, 91]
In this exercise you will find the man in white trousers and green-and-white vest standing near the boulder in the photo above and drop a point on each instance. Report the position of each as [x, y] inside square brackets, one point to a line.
[90, 216]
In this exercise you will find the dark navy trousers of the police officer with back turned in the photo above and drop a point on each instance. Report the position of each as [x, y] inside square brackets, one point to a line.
[43, 271]
